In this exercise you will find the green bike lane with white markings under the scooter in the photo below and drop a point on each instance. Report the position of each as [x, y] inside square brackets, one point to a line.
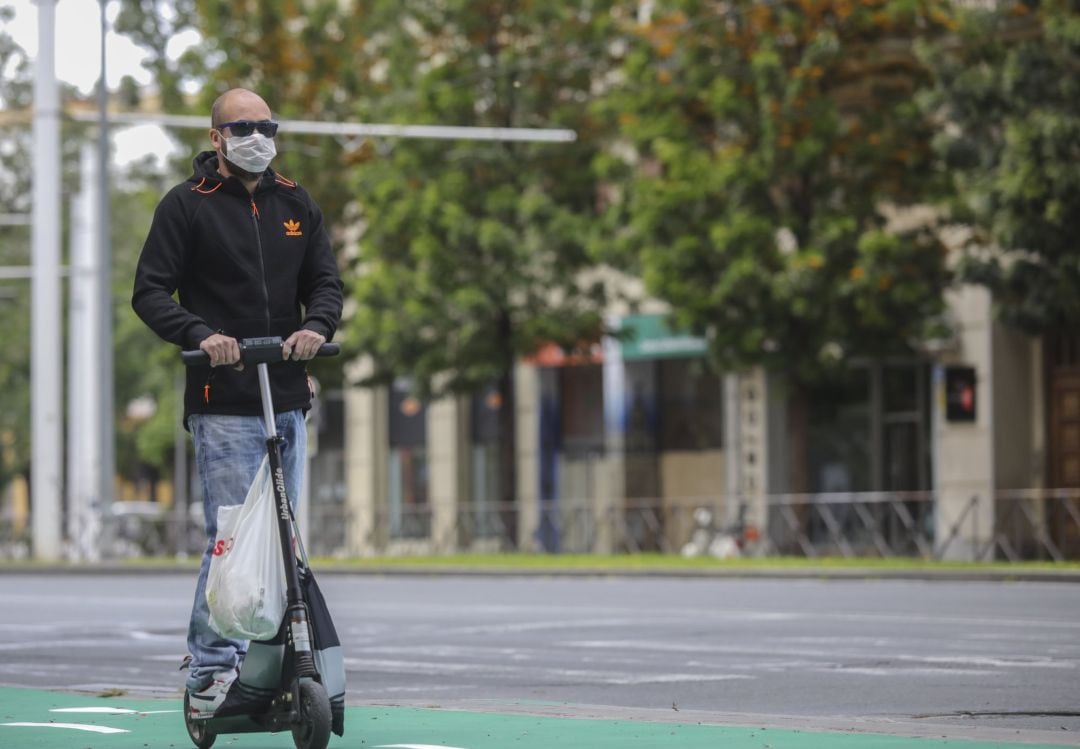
[35, 719]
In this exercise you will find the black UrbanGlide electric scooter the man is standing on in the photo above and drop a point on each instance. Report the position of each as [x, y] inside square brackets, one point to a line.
[279, 687]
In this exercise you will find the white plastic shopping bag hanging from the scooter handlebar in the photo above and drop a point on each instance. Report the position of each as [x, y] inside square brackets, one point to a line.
[246, 588]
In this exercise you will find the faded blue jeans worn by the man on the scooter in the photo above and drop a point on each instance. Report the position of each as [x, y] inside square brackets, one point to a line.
[228, 453]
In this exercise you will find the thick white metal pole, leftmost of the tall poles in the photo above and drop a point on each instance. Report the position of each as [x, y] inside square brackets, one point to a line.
[46, 362]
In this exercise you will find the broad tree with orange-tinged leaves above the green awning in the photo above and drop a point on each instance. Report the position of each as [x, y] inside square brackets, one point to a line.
[772, 142]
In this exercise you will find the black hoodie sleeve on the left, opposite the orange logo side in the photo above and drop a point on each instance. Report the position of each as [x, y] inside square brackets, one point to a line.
[159, 274]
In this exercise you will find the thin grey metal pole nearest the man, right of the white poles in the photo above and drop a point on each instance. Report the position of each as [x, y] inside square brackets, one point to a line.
[104, 353]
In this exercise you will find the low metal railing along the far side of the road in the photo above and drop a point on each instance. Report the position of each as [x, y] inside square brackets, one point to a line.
[1030, 525]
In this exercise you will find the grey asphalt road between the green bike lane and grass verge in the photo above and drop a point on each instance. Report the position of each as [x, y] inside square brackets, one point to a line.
[948, 656]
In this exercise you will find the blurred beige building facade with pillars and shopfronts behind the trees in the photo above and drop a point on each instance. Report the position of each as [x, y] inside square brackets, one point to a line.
[948, 454]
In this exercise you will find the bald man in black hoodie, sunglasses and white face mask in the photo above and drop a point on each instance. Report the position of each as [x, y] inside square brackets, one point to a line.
[248, 253]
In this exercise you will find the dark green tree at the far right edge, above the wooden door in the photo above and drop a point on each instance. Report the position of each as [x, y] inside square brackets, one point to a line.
[1009, 87]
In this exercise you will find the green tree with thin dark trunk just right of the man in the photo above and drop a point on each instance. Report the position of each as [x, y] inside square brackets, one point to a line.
[474, 253]
